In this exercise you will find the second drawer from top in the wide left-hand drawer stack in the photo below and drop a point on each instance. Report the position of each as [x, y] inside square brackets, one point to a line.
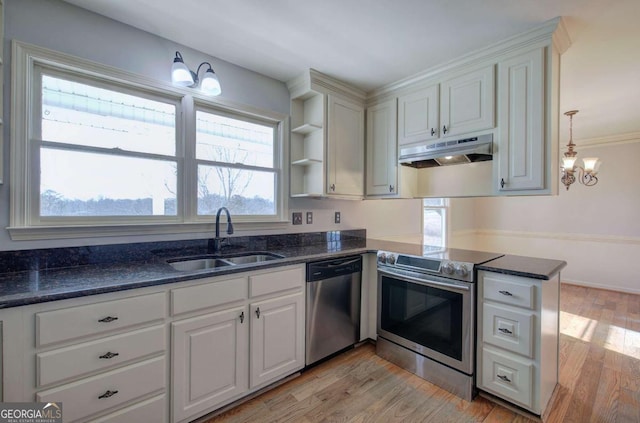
[77, 360]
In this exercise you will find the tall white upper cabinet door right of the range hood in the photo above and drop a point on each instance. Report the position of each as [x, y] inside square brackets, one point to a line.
[521, 142]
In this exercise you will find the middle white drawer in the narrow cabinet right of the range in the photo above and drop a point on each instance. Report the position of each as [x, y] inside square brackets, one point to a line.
[508, 329]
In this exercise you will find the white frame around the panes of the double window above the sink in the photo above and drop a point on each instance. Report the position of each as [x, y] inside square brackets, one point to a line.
[25, 222]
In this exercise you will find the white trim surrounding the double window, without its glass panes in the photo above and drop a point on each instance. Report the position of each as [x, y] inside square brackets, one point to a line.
[24, 58]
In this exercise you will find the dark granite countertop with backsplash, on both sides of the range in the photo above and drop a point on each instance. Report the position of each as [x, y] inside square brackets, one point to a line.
[36, 276]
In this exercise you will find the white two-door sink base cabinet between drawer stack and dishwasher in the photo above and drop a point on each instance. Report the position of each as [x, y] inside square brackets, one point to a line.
[251, 339]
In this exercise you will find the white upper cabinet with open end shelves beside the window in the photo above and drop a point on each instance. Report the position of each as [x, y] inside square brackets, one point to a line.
[327, 138]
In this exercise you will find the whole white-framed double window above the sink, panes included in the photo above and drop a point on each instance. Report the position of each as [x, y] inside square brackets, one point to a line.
[97, 151]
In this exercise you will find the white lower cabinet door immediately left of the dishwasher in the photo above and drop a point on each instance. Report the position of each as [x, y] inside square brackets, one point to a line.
[277, 338]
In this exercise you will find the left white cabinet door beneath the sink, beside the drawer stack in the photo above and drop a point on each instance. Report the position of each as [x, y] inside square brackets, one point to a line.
[209, 361]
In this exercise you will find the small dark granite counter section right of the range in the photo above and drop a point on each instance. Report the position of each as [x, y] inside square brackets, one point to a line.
[528, 267]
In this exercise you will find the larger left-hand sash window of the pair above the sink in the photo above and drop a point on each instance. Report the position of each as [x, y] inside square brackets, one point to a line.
[102, 152]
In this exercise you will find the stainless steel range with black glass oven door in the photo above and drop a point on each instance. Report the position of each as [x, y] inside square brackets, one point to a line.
[426, 314]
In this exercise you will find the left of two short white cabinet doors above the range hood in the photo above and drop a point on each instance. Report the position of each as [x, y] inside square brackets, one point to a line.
[418, 115]
